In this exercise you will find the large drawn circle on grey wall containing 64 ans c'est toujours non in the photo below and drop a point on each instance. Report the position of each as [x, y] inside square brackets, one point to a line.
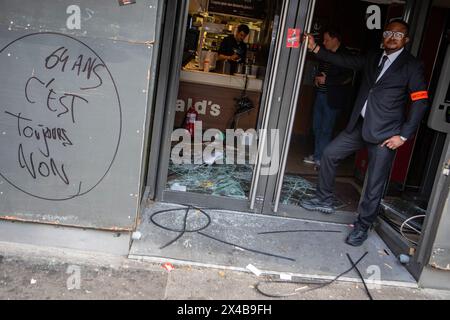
[60, 116]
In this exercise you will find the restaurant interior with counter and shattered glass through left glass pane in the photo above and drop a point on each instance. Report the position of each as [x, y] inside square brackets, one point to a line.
[223, 96]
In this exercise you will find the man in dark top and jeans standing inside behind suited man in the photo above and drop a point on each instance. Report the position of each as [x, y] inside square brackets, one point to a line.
[333, 84]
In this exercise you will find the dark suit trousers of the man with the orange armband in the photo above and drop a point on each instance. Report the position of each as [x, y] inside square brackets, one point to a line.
[380, 162]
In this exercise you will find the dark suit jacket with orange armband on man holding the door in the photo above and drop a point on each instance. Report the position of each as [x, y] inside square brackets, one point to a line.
[386, 99]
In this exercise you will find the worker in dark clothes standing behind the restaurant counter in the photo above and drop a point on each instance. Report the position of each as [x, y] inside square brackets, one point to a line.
[233, 48]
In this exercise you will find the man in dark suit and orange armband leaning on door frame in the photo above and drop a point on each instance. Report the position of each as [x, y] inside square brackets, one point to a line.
[378, 121]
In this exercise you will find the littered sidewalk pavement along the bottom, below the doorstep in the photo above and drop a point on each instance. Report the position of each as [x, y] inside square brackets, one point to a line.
[29, 272]
